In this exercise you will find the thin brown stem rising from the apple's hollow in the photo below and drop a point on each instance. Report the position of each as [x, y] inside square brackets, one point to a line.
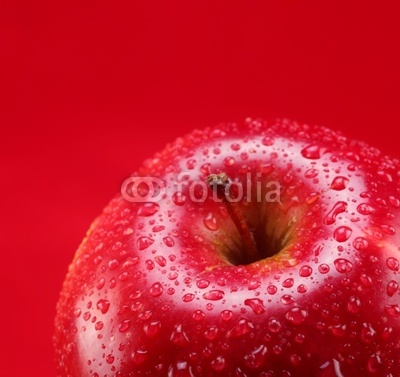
[221, 185]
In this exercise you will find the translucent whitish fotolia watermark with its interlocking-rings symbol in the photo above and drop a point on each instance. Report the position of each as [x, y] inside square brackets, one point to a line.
[153, 189]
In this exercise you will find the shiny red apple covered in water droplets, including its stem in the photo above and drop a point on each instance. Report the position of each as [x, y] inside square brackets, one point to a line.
[260, 249]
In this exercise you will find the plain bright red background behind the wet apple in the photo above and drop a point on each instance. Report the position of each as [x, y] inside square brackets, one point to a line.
[89, 89]
